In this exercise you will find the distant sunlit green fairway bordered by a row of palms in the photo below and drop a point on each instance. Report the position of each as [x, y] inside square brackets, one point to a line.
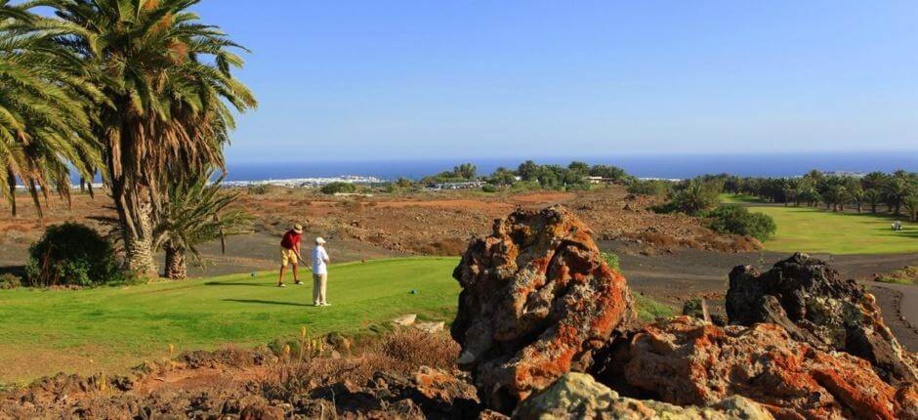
[807, 229]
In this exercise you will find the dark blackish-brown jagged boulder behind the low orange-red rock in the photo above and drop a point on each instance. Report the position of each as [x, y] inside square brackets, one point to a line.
[811, 301]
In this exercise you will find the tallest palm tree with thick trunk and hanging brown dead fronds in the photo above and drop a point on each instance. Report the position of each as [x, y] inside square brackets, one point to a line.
[170, 92]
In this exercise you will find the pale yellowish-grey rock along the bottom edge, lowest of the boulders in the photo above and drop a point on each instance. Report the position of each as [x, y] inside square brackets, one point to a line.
[578, 395]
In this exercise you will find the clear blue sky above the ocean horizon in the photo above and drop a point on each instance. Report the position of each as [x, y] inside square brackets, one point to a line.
[370, 80]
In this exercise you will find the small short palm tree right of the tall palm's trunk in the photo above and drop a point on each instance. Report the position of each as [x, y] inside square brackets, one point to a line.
[197, 211]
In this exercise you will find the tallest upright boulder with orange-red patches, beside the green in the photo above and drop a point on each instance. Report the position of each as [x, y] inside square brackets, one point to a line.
[537, 300]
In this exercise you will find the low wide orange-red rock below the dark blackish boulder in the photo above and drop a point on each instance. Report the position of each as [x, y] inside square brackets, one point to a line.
[687, 362]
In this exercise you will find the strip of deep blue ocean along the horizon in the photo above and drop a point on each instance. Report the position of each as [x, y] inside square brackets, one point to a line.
[669, 166]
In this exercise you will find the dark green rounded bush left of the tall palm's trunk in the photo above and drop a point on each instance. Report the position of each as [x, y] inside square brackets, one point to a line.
[72, 254]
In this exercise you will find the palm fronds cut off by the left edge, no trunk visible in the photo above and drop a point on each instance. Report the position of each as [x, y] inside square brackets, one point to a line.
[44, 124]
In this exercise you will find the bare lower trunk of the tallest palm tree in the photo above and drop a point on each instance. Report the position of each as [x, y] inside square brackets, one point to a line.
[135, 213]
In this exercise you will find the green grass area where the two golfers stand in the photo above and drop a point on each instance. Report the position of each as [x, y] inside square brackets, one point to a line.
[45, 332]
